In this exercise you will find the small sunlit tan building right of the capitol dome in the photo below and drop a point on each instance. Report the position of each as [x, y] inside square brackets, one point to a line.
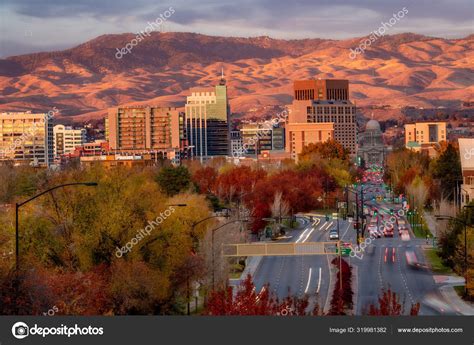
[425, 136]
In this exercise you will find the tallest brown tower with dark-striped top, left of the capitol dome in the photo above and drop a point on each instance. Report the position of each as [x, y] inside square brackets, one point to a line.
[324, 101]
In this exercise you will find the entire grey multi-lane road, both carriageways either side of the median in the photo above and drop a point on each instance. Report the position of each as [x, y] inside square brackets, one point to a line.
[382, 265]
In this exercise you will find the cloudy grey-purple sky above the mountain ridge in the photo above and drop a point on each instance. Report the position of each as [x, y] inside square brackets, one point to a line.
[28, 26]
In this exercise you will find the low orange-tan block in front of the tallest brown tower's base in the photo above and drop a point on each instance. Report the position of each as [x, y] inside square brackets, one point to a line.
[298, 135]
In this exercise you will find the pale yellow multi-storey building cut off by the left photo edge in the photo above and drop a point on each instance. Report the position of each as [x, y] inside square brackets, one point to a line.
[26, 138]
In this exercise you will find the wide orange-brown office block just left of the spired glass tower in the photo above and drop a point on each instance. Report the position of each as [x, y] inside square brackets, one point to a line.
[139, 129]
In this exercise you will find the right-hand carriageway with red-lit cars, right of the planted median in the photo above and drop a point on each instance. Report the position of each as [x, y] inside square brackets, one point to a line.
[384, 265]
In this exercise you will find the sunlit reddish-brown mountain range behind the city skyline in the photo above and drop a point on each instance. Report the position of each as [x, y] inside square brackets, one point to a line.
[82, 82]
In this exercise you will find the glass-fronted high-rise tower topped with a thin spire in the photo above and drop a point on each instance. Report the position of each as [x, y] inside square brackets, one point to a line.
[207, 121]
